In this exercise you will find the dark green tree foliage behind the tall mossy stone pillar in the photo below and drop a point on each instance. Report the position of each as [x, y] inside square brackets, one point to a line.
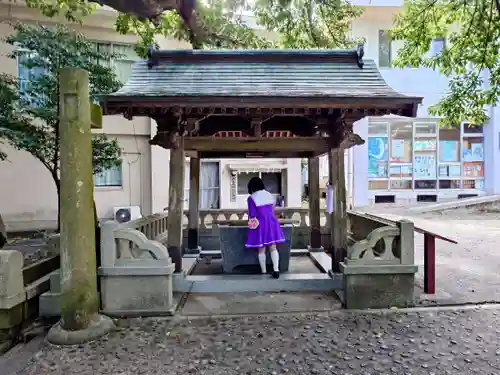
[30, 120]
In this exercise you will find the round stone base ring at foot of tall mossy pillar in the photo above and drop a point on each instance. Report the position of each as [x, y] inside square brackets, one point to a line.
[98, 328]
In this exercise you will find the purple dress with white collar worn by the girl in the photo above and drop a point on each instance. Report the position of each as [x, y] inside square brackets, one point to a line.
[269, 232]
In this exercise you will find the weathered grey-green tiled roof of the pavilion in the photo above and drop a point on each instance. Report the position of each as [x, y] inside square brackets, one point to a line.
[283, 73]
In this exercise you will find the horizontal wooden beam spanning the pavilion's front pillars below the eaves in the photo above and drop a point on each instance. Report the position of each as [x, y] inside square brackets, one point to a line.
[254, 144]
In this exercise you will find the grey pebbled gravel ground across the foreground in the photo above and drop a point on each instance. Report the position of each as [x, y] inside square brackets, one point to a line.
[430, 342]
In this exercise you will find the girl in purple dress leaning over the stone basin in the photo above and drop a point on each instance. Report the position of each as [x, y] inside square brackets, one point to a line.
[263, 228]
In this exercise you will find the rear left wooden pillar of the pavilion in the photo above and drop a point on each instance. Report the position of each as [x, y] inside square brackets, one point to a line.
[194, 205]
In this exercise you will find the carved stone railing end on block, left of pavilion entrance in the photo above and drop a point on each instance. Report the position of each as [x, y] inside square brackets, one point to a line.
[136, 269]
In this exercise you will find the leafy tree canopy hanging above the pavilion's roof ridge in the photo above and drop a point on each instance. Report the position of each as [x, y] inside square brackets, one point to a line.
[294, 23]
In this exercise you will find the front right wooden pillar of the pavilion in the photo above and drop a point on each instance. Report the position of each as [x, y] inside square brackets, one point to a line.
[338, 220]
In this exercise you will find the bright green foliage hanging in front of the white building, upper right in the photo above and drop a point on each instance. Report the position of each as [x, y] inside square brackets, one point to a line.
[472, 34]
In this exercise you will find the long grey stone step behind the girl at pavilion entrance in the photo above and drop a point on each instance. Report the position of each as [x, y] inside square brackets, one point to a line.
[303, 282]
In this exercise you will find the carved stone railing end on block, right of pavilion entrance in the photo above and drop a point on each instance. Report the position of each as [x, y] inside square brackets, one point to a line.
[379, 270]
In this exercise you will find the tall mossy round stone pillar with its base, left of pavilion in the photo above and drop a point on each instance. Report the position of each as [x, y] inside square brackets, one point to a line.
[80, 320]
